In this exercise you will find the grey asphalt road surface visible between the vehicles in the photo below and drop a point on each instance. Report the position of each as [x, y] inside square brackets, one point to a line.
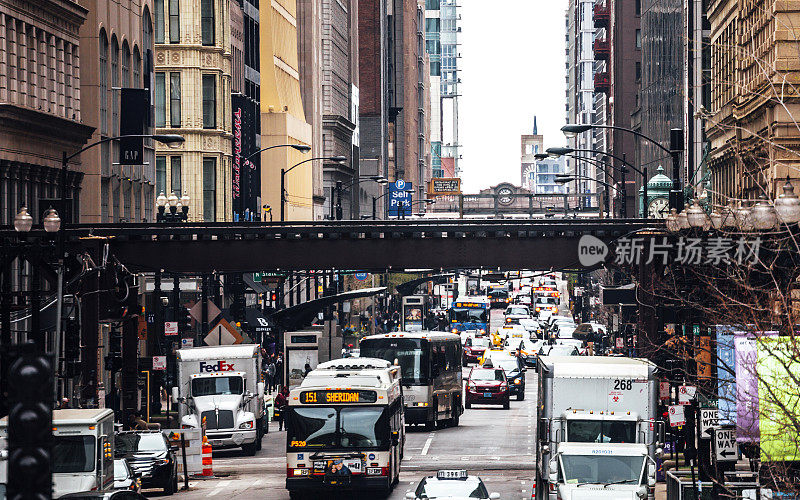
[497, 445]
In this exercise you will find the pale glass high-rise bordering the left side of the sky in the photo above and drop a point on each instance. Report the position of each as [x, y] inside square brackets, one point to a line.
[441, 43]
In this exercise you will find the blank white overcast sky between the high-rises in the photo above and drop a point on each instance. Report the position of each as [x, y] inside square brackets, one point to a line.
[512, 68]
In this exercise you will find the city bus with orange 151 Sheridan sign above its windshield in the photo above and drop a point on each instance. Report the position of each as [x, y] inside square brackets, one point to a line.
[345, 428]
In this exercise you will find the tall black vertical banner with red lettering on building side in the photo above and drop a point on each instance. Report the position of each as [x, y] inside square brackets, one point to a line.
[246, 185]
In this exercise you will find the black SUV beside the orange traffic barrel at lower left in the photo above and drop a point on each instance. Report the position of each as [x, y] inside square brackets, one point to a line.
[150, 456]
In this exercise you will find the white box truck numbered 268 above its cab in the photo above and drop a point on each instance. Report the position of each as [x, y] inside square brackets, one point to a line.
[594, 400]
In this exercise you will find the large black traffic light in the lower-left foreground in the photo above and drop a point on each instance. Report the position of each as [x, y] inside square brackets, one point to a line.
[30, 421]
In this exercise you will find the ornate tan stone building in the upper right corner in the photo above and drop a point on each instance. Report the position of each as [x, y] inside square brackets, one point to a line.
[751, 121]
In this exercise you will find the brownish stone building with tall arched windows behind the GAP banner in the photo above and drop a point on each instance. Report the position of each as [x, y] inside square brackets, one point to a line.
[119, 52]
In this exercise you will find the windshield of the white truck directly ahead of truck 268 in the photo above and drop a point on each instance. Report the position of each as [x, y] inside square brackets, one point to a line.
[603, 469]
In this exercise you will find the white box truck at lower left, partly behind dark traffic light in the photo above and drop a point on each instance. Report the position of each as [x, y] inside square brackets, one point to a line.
[83, 450]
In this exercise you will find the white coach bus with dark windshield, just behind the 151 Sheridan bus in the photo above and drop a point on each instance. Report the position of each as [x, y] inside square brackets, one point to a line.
[430, 364]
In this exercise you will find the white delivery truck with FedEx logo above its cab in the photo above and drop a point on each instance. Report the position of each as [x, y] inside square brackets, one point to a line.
[222, 385]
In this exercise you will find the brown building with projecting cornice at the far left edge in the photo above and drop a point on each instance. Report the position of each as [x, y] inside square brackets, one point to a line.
[41, 105]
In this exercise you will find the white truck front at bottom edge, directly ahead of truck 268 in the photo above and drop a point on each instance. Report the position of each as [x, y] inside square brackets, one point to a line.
[601, 471]
